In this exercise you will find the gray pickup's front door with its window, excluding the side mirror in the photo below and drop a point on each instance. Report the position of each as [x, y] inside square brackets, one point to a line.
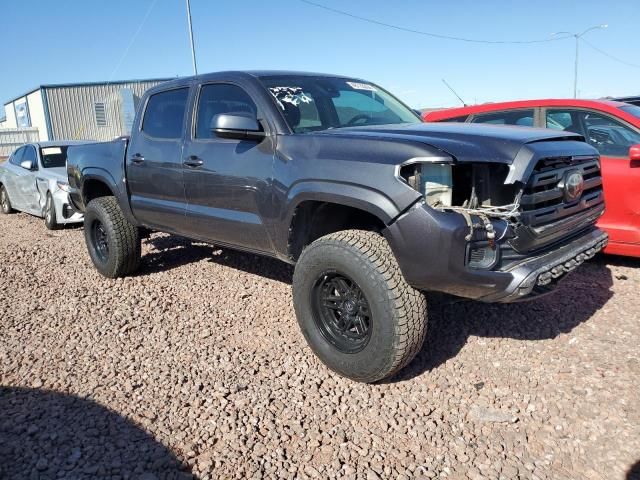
[227, 181]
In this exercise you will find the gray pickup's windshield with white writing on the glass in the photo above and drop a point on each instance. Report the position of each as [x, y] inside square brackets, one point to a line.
[313, 103]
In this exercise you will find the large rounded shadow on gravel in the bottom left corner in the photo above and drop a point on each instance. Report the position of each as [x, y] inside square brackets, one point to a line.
[46, 434]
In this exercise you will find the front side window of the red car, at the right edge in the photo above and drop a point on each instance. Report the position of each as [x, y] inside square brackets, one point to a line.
[610, 137]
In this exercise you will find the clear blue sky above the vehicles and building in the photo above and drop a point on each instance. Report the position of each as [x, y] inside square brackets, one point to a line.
[80, 40]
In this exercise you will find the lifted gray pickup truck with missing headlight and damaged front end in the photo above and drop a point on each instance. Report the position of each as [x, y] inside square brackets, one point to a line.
[340, 178]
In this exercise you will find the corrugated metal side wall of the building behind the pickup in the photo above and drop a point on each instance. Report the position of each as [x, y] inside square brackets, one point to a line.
[72, 113]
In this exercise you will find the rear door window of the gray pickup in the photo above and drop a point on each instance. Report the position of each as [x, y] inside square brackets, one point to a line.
[164, 115]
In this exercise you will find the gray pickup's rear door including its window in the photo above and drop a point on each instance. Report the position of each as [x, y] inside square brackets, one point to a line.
[154, 162]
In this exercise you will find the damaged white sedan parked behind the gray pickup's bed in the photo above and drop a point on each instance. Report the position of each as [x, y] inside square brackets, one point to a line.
[34, 180]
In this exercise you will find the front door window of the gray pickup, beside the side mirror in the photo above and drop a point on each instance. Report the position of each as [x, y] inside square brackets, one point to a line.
[221, 98]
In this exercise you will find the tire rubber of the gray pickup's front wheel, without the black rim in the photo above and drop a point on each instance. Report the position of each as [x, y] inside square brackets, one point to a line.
[398, 312]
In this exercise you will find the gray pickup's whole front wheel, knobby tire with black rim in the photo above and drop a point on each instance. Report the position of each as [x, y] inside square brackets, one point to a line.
[355, 308]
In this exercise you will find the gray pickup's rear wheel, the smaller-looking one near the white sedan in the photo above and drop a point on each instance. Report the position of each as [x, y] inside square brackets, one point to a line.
[113, 243]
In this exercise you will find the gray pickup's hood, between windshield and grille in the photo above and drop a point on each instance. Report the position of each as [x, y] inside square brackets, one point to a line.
[463, 142]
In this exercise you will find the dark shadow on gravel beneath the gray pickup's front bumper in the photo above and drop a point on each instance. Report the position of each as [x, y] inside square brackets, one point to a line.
[452, 320]
